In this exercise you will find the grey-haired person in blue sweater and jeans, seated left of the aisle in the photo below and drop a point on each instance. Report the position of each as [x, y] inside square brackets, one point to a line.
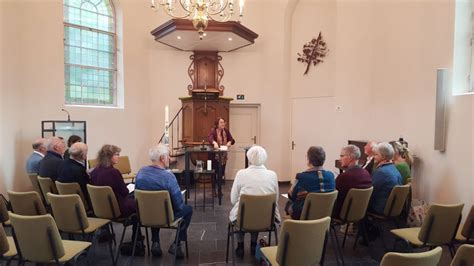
[158, 177]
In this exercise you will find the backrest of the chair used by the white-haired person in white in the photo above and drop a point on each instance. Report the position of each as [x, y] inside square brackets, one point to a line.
[256, 212]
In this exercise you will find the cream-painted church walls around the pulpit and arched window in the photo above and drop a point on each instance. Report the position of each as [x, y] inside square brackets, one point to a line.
[381, 69]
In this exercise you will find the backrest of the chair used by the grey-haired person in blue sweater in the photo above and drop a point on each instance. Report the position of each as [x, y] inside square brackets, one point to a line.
[154, 208]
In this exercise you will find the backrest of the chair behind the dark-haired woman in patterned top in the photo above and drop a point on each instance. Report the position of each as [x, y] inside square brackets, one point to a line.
[318, 205]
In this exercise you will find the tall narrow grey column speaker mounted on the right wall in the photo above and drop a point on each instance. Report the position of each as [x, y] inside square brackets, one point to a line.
[440, 118]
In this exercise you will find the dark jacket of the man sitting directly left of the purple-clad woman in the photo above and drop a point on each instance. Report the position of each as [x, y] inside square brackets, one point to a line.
[74, 172]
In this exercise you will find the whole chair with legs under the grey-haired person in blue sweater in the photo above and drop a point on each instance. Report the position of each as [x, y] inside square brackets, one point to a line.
[155, 210]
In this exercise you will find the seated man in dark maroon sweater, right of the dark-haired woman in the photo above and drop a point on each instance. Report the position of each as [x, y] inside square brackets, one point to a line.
[354, 176]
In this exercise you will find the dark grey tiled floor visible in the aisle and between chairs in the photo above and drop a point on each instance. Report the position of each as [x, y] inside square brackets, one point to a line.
[207, 241]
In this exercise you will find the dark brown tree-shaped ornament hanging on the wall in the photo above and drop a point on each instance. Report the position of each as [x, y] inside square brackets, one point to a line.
[313, 52]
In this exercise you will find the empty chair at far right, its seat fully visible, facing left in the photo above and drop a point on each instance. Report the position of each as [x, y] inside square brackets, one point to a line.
[439, 228]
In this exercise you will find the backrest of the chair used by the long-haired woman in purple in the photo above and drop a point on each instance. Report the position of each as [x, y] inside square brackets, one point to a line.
[104, 203]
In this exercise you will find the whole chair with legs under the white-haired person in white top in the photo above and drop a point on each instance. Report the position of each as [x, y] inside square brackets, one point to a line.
[256, 213]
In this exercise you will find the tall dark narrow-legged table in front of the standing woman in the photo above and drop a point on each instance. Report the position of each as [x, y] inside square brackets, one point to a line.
[187, 176]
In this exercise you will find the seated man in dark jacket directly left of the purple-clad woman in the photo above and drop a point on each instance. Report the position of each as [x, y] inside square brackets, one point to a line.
[73, 169]
